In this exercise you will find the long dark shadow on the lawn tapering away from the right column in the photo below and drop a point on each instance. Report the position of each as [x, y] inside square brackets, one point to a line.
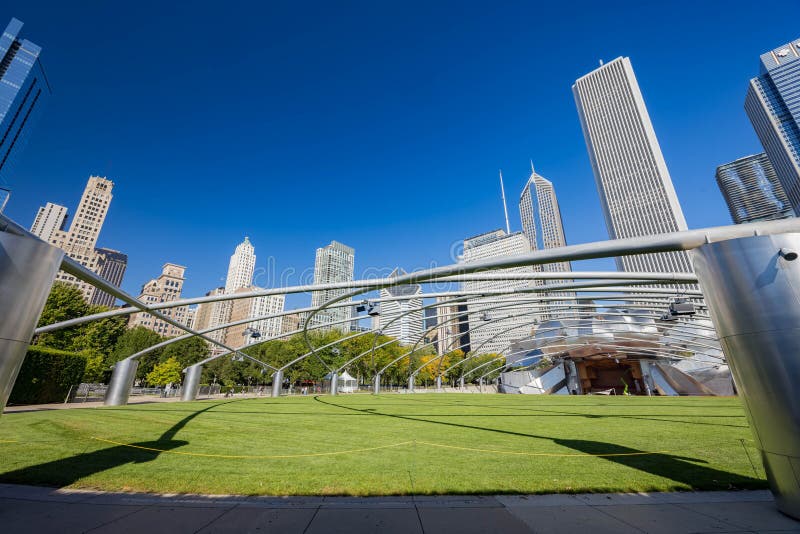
[683, 470]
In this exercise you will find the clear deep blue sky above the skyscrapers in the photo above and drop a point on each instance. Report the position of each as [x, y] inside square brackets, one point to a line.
[379, 124]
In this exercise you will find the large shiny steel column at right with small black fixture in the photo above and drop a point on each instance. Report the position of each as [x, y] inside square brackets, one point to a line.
[752, 289]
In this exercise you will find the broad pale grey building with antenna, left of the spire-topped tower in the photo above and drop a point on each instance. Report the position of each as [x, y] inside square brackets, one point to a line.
[494, 330]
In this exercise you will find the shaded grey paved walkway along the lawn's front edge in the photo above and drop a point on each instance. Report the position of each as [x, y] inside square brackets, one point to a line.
[41, 510]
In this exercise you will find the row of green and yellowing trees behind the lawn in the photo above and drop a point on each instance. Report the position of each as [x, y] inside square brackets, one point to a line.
[108, 341]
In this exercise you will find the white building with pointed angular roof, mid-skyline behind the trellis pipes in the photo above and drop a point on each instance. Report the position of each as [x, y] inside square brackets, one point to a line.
[402, 319]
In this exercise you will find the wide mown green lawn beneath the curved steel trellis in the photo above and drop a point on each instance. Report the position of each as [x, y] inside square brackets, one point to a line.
[392, 444]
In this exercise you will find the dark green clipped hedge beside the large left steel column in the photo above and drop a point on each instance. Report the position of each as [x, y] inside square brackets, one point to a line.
[47, 375]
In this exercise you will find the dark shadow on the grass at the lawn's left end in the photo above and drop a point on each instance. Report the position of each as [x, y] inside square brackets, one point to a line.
[67, 471]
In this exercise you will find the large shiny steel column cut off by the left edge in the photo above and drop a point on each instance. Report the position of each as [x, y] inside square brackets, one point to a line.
[27, 270]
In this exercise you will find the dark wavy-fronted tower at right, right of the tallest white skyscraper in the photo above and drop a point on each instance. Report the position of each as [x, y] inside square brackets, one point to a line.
[752, 190]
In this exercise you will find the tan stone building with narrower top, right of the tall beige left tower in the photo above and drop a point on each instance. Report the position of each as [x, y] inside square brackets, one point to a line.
[166, 288]
